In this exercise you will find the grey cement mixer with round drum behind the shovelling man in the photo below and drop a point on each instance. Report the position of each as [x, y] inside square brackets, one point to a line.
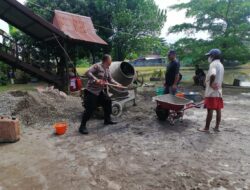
[124, 73]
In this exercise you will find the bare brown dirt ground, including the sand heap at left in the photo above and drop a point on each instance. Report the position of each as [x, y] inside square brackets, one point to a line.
[139, 153]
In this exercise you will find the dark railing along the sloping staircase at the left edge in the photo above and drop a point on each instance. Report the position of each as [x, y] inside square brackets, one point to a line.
[44, 60]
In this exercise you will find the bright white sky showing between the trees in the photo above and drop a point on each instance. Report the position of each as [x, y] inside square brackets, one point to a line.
[173, 18]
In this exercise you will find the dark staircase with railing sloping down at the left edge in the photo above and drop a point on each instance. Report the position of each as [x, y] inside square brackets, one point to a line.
[30, 61]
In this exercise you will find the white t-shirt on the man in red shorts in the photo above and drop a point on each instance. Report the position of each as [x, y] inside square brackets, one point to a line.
[216, 68]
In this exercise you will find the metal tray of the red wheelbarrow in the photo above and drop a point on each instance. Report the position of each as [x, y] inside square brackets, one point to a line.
[171, 102]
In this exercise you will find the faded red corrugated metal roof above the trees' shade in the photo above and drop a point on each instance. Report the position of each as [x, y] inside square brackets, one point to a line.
[77, 27]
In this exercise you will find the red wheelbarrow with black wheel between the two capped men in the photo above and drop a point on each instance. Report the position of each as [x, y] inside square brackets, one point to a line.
[172, 108]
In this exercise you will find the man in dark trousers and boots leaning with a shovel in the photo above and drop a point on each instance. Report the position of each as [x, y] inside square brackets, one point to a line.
[96, 92]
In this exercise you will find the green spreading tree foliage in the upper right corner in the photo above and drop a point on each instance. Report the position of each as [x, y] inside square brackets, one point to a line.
[227, 22]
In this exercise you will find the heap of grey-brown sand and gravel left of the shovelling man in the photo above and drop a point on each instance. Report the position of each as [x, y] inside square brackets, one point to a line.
[40, 107]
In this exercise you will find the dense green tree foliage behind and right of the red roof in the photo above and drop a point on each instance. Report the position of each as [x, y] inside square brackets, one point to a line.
[125, 24]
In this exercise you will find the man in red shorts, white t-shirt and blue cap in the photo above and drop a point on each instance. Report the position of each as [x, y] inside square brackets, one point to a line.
[213, 92]
